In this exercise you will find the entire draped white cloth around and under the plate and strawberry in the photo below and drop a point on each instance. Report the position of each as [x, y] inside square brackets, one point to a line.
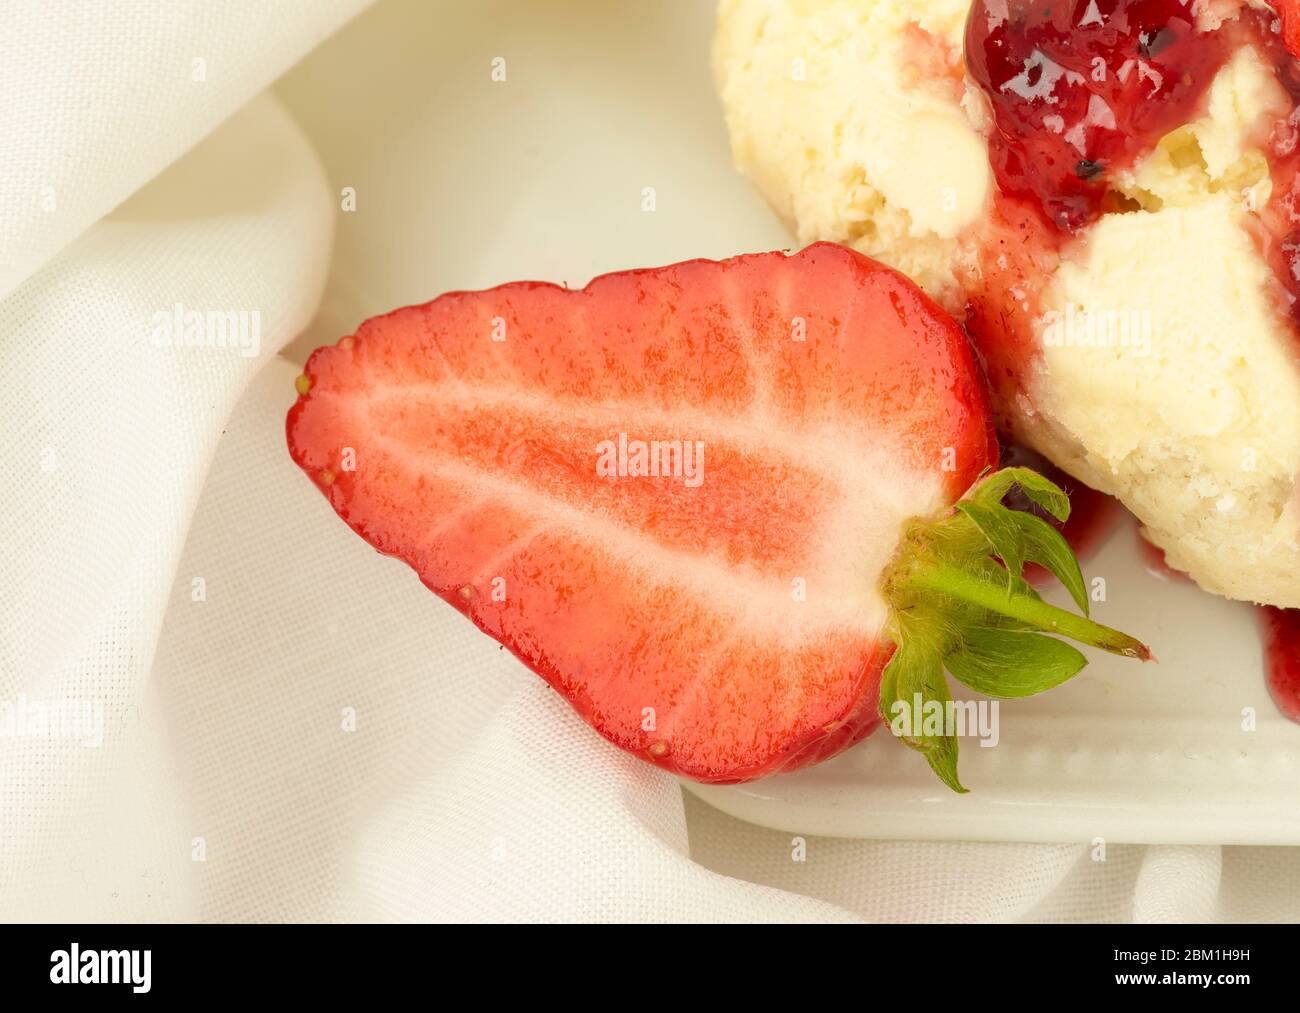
[289, 733]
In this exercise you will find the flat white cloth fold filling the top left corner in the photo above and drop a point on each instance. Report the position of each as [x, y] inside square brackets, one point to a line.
[98, 99]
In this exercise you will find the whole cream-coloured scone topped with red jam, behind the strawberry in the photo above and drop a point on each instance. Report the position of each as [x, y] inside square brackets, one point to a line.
[1107, 192]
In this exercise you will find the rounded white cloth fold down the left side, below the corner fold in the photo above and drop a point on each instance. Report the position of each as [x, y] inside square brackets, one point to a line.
[122, 362]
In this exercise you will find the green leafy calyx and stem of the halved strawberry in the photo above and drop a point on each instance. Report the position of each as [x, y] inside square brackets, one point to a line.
[960, 603]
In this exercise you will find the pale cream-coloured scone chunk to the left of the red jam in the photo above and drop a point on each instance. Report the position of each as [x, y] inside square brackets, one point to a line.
[850, 119]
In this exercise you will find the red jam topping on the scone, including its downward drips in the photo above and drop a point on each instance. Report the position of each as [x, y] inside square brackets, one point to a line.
[1068, 116]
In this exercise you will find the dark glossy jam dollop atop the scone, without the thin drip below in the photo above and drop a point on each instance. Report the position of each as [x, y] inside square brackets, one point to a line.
[1084, 88]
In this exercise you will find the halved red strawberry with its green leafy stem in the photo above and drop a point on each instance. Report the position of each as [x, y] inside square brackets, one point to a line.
[725, 617]
